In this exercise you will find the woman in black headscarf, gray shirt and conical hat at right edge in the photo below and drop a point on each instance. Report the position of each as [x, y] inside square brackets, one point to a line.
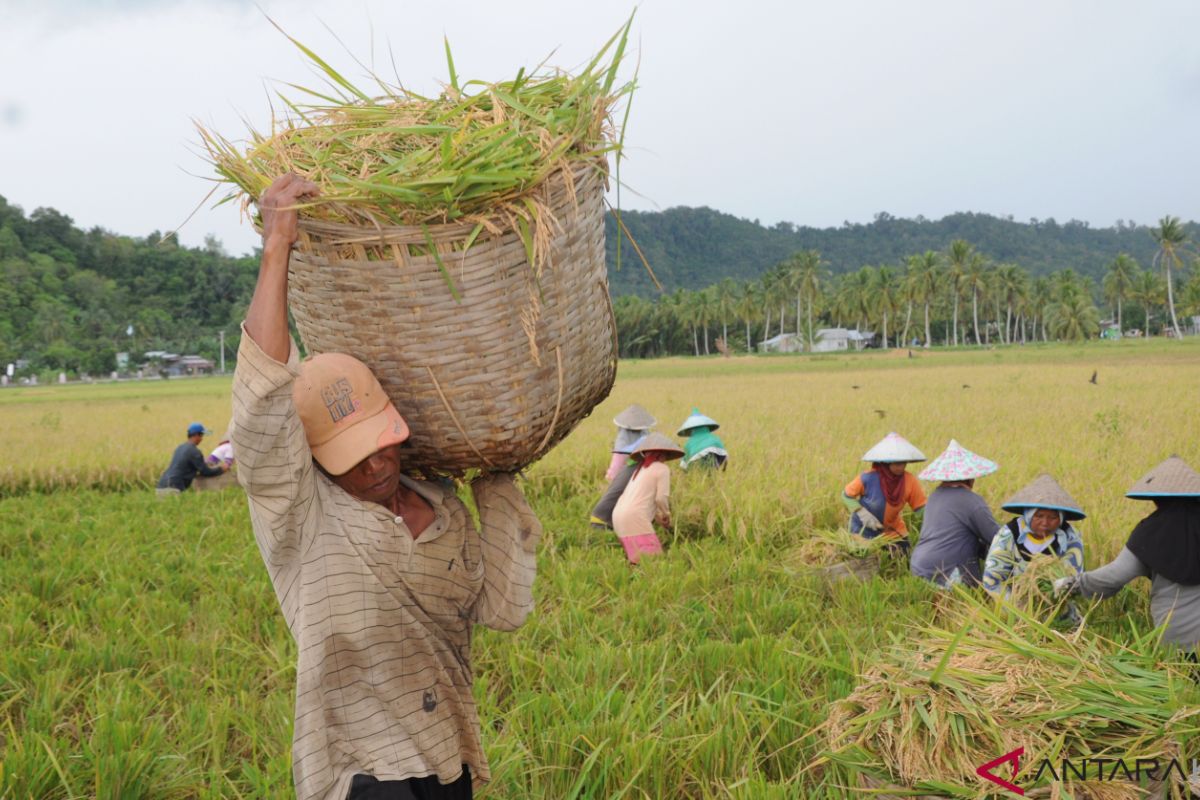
[1166, 549]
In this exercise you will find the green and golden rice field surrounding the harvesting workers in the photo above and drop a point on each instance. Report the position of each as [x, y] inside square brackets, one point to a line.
[142, 653]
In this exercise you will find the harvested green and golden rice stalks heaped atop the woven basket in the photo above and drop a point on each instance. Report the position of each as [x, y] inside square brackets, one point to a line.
[477, 154]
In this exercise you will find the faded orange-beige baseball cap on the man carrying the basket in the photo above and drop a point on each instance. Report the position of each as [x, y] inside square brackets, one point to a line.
[346, 414]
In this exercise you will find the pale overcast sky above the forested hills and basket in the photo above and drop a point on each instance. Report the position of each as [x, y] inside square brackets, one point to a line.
[813, 113]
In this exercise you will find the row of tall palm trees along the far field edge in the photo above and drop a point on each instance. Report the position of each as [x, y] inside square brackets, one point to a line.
[1006, 304]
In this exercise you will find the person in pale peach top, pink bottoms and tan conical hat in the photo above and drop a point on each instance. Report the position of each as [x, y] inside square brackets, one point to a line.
[646, 500]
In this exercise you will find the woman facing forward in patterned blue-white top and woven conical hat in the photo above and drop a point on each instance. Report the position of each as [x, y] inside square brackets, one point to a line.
[1042, 527]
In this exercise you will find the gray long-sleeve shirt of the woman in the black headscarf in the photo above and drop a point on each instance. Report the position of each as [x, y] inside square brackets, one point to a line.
[1171, 603]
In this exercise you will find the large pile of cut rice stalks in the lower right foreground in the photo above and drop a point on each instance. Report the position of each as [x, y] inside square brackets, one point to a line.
[959, 695]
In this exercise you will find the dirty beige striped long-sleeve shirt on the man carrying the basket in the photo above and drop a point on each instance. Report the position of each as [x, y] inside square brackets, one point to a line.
[382, 621]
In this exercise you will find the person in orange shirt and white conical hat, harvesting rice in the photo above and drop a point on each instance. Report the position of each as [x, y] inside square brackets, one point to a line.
[878, 497]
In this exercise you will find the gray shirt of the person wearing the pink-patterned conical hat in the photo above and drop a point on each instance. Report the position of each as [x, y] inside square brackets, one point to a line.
[956, 533]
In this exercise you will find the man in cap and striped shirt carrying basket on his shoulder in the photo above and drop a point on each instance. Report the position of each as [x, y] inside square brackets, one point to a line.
[380, 578]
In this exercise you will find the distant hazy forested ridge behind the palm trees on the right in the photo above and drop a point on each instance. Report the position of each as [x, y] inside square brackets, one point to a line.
[693, 249]
